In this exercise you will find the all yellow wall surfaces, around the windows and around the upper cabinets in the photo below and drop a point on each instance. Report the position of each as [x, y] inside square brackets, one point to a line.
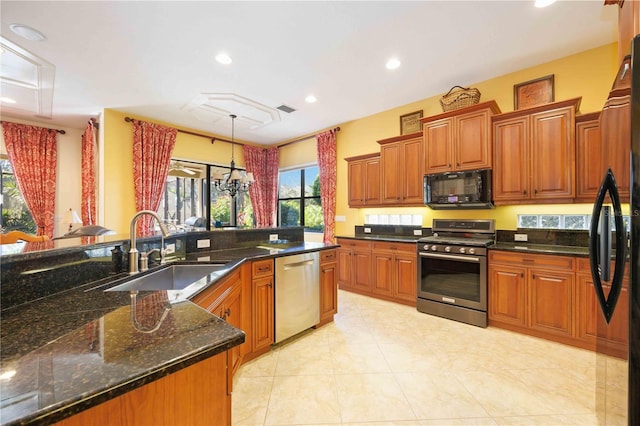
[588, 74]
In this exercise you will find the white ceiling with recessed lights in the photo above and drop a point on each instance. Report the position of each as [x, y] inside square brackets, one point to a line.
[156, 59]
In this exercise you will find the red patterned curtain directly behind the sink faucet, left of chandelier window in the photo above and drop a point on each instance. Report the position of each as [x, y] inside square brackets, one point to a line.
[152, 147]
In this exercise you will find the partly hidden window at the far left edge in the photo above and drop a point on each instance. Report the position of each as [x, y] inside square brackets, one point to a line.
[15, 214]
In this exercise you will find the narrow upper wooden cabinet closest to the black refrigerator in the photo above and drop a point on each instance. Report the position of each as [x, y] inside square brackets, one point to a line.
[588, 157]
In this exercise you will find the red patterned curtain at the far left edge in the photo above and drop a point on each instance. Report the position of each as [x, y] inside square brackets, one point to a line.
[32, 152]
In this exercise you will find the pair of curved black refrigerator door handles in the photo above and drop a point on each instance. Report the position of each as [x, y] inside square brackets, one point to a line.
[607, 303]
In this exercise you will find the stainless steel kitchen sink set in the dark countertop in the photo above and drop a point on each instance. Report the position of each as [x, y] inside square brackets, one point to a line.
[174, 277]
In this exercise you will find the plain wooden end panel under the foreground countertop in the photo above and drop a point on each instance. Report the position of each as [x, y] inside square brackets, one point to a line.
[195, 395]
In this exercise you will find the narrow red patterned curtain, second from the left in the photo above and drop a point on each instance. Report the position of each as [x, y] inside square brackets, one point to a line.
[88, 175]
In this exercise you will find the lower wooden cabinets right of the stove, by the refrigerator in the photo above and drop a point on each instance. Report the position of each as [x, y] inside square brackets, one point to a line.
[553, 297]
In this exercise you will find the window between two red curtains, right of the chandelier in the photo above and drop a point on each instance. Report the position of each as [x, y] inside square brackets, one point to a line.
[299, 199]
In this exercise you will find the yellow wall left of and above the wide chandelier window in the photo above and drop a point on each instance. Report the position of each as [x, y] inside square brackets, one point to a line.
[119, 195]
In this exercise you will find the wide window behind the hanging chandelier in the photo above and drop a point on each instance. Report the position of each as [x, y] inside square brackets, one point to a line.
[185, 197]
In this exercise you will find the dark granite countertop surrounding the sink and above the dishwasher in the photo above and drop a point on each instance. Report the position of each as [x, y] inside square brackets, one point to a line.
[79, 347]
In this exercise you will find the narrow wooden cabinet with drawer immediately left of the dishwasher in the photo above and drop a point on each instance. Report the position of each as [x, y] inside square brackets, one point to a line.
[262, 278]
